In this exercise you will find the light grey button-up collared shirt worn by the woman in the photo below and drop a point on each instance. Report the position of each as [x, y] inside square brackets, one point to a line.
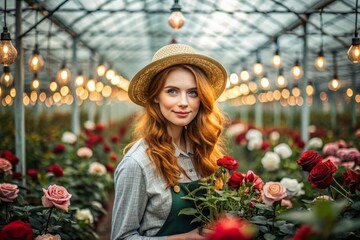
[142, 202]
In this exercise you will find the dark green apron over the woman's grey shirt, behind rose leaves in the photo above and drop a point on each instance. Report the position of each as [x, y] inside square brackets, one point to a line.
[175, 223]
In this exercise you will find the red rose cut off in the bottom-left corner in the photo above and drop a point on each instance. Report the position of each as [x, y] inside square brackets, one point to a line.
[17, 230]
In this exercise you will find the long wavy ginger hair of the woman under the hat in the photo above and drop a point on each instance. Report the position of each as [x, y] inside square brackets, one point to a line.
[203, 132]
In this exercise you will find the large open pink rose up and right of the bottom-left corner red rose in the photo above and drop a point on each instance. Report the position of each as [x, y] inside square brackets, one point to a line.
[56, 196]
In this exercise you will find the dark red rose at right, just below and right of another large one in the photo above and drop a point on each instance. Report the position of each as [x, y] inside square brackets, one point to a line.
[321, 176]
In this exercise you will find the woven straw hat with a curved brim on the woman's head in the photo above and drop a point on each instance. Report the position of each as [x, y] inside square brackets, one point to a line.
[175, 54]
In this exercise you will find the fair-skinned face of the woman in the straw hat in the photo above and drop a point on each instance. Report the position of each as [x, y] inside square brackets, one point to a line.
[178, 99]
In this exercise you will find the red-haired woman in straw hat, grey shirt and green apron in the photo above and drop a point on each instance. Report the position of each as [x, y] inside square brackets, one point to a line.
[178, 140]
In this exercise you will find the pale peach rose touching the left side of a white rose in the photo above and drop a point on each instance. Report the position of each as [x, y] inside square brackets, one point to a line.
[273, 192]
